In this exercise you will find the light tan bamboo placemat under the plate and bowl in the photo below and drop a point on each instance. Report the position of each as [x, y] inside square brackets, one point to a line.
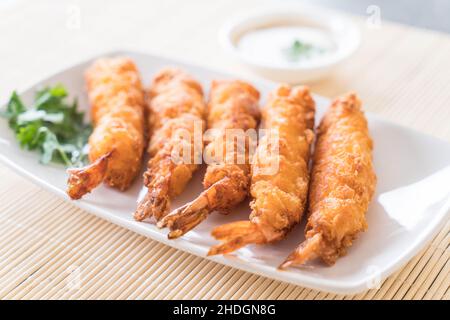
[50, 249]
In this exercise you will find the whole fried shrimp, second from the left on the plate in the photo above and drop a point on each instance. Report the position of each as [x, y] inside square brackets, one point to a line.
[176, 119]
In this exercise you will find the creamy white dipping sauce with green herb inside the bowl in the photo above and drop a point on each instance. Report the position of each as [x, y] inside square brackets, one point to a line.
[276, 45]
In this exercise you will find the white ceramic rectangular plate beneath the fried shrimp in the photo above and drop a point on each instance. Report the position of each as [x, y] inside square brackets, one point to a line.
[411, 205]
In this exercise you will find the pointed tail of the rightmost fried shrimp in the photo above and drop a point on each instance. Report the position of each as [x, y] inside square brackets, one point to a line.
[306, 251]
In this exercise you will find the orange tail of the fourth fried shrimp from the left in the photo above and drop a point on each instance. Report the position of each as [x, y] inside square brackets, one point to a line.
[235, 235]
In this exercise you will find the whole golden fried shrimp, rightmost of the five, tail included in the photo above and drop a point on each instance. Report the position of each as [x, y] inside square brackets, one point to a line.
[342, 184]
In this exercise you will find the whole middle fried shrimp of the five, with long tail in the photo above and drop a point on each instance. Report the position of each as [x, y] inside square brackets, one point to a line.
[232, 105]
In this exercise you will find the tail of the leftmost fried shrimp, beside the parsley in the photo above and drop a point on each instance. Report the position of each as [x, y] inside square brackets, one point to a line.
[84, 180]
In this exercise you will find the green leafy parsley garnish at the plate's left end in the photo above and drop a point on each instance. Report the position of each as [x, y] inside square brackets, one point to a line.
[51, 125]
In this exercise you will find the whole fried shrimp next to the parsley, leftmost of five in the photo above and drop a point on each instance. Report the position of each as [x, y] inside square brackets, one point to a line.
[117, 143]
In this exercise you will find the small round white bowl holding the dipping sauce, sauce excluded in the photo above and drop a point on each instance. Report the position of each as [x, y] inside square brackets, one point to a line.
[344, 33]
